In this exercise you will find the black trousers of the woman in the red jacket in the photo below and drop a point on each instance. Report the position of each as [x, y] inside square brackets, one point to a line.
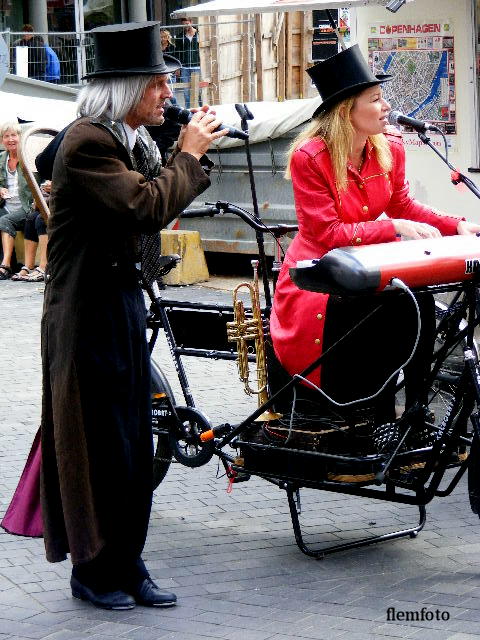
[358, 366]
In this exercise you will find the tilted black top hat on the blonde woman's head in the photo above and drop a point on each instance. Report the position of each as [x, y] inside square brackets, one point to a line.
[341, 76]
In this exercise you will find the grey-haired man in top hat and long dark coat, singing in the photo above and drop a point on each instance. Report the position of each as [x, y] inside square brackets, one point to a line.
[111, 196]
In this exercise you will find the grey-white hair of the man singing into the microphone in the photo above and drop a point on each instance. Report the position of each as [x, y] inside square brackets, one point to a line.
[112, 98]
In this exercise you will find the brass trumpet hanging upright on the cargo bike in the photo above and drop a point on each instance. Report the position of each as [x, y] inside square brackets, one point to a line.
[242, 330]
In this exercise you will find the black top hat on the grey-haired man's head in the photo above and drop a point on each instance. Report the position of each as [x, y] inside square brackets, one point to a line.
[129, 49]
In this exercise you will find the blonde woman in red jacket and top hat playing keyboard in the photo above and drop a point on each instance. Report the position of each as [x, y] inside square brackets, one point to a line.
[347, 168]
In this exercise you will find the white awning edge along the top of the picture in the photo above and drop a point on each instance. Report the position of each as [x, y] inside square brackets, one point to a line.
[219, 7]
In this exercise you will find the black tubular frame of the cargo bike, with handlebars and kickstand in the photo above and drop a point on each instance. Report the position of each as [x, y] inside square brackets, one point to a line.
[426, 482]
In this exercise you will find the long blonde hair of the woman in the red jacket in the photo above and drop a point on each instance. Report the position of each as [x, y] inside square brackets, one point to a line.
[336, 130]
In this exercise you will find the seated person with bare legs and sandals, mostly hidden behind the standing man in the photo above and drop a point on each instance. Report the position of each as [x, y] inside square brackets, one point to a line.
[35, 233]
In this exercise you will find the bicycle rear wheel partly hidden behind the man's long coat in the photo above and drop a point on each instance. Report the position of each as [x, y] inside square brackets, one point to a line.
[162, 396]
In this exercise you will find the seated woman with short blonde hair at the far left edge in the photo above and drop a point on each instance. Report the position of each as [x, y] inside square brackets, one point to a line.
[14, 193]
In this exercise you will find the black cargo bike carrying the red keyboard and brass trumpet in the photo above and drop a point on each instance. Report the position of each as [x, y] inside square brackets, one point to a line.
[296, 440]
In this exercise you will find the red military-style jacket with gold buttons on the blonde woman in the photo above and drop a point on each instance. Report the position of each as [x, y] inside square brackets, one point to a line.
[328, 219]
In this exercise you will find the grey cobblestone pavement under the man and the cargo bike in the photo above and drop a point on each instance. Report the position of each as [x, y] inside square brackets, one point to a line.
[232, 558]
